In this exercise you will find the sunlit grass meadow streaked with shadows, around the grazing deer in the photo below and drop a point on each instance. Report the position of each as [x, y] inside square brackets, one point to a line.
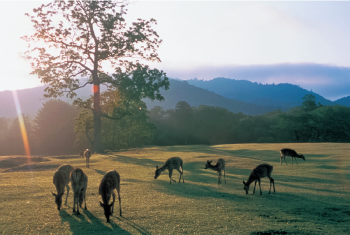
[311, 198]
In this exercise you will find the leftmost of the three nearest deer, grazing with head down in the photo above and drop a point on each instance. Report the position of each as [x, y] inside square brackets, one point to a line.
[61, 180]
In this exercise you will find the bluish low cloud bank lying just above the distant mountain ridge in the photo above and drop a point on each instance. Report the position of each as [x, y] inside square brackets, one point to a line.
[331, 82]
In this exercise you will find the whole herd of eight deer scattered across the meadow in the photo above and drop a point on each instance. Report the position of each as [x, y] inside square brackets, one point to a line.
[111, 180]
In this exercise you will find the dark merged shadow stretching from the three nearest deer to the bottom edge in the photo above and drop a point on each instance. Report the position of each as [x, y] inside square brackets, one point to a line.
[79, 225]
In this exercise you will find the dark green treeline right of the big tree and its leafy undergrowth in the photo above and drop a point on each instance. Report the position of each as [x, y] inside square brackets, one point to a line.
[213, 125]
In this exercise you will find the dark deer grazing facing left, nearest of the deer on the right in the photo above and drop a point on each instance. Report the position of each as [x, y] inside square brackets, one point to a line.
[257, 173]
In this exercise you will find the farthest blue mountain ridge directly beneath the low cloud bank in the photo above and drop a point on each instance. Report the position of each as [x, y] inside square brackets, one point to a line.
[284, 95]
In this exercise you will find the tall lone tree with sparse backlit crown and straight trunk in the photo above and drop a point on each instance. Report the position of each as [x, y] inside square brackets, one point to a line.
[82, 36]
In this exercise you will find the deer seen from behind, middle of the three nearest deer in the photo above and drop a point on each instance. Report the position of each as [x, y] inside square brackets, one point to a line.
[79, 184]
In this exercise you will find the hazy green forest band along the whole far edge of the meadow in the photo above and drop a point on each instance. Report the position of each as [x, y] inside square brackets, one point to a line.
[61, 128]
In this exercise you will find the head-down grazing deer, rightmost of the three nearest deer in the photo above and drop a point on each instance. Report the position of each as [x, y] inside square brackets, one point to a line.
[109, 182]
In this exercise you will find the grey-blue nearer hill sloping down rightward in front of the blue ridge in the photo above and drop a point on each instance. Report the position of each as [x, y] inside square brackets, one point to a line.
[195, 96]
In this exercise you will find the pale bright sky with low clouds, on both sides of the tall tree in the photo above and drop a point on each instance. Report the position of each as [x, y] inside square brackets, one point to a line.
[272, 41]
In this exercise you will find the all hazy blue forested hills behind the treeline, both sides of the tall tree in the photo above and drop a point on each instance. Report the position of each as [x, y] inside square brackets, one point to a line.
[234, 95]
